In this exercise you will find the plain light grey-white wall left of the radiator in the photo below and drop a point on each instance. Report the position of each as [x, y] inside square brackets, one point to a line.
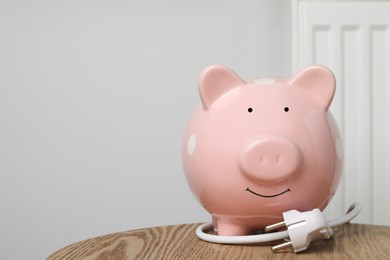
[94, 98]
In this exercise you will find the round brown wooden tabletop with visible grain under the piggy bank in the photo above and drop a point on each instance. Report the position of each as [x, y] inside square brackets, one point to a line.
[350, 241]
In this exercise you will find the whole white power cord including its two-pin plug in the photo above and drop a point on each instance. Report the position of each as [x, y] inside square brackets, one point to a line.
[302, 228]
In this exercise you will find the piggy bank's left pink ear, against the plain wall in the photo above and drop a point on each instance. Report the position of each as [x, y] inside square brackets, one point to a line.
[214, 81]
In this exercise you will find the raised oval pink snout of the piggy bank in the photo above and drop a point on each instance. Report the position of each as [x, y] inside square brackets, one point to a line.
[271, 159]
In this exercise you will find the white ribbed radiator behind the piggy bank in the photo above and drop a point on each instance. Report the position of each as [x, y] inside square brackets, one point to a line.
[353, 39]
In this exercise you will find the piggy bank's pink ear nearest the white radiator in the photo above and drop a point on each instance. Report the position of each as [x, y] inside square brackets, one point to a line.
[318, 82]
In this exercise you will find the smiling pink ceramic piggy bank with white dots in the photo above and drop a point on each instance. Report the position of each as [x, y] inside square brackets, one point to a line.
[254, 149]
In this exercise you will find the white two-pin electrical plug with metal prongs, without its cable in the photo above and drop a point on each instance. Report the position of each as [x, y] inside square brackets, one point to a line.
[302, 228]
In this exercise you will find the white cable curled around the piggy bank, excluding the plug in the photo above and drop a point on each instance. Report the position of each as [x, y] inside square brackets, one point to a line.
[352, 212]
